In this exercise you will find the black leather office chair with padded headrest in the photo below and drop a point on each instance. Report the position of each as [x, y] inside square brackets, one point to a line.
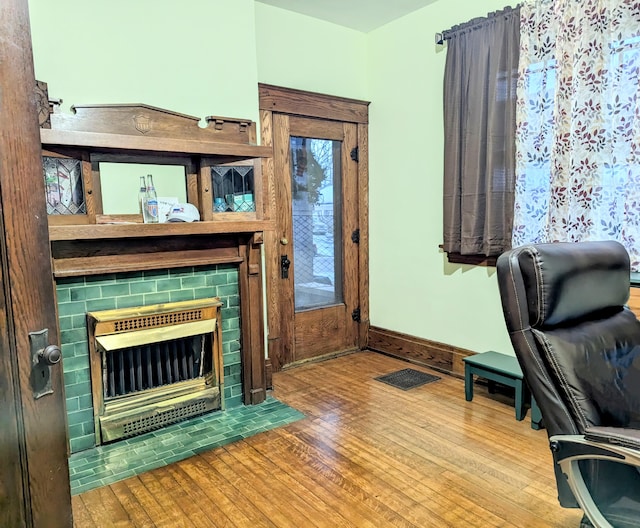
[579, 349]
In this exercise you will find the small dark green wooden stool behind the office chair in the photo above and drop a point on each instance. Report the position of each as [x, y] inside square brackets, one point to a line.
[500, 368]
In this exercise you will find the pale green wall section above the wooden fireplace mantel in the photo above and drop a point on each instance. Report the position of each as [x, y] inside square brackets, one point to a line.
[195, 57]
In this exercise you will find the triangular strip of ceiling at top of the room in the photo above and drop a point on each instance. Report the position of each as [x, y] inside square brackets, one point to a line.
[362, 15]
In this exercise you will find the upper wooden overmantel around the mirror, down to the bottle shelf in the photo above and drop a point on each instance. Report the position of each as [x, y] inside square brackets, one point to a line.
[138, 133]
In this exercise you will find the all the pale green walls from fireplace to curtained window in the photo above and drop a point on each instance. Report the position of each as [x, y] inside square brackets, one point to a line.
[205, 57]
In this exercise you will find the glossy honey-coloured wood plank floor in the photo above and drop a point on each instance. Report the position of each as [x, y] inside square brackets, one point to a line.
[366, 455]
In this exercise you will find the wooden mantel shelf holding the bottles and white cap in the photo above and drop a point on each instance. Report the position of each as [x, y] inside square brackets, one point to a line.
[116, 231]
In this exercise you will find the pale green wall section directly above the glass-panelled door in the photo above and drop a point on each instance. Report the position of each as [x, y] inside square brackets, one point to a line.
[305, 53]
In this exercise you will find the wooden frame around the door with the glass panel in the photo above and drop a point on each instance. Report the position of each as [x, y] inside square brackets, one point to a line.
[278, 100]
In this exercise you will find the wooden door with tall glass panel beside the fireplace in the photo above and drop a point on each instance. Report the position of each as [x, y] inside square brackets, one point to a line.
[318, 213]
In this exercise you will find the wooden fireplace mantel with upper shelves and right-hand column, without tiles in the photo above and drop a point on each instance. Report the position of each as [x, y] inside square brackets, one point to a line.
[95, 243]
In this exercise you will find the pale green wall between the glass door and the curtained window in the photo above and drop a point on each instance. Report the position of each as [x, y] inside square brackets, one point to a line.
[413, 289]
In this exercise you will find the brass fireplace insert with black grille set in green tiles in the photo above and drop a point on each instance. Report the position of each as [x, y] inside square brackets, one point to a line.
[155, 365]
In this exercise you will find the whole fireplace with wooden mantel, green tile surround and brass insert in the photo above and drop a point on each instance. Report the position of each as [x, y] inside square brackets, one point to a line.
[103, 262]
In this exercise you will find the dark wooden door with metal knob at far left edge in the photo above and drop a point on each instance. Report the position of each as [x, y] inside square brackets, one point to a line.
[34, 477]
